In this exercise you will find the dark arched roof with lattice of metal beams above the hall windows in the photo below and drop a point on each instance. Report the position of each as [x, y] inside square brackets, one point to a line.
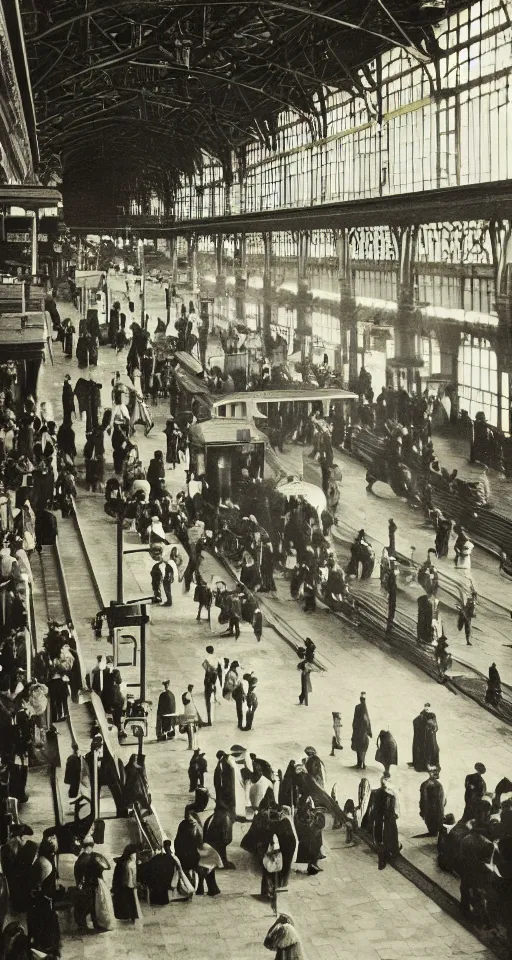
[155, 84]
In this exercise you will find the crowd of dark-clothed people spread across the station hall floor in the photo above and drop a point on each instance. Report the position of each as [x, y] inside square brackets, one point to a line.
[264, 533]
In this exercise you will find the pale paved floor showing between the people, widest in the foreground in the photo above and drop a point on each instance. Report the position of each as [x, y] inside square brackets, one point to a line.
[351, 910]
